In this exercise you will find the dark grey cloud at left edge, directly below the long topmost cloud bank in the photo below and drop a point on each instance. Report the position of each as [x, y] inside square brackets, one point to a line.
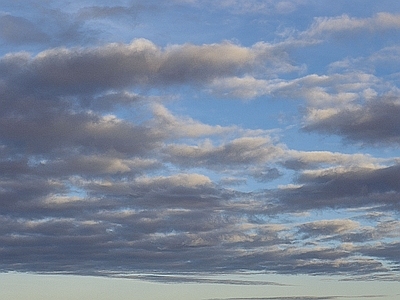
[43, 133]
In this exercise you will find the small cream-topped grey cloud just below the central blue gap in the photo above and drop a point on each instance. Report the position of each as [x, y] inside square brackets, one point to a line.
[254, 156]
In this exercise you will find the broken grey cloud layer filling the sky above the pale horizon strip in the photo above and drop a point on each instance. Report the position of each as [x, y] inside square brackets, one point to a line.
[101, 176]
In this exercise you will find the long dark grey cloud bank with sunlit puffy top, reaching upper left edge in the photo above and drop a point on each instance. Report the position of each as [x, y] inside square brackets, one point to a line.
[79, 71]
